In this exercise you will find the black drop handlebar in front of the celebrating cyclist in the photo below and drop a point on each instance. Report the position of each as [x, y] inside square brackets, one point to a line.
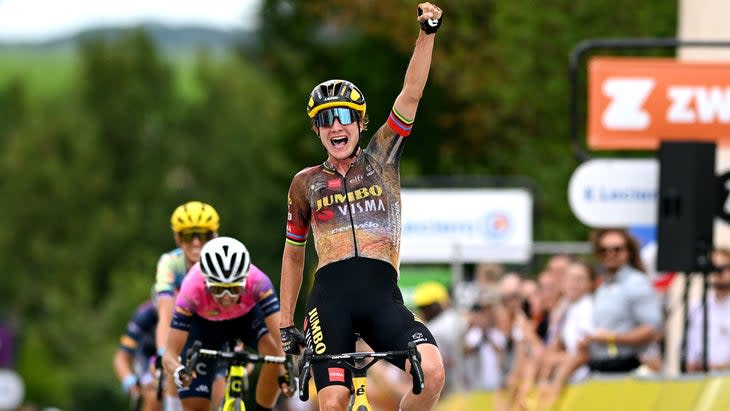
[412, 354]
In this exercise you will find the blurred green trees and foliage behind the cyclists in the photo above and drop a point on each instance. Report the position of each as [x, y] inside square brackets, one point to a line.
[99, 144]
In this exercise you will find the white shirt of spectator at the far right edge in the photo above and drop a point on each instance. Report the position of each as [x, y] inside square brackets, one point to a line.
[718, 332]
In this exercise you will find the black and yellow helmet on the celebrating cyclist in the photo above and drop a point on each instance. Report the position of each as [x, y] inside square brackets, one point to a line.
[335, 93]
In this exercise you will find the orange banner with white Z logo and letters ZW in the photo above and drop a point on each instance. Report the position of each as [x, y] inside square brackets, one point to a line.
[635, 103]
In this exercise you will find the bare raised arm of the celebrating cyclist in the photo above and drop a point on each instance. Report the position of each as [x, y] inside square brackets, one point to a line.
[417, 73]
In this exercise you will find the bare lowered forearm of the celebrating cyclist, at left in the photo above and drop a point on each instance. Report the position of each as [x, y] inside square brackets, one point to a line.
[292, 268]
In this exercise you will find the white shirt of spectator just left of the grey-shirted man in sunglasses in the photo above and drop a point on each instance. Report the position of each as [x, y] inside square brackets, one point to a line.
[578, 324]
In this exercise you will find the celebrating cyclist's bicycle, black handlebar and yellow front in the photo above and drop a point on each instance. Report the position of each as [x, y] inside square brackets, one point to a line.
[358, 389]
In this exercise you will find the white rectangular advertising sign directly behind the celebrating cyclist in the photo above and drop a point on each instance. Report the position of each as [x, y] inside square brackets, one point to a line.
[467, 225]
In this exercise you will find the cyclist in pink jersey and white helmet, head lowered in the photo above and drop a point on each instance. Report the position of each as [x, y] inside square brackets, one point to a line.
[224, 298]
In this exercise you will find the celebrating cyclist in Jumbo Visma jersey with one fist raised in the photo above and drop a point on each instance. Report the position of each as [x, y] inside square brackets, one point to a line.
[351, 203]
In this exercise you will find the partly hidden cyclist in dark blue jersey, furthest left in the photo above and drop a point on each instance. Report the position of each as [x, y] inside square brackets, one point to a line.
[132, 359]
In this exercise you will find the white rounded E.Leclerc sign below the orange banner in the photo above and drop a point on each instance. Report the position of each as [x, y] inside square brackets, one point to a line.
[615, 192]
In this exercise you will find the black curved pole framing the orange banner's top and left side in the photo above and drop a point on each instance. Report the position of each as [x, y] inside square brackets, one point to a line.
[615, 44]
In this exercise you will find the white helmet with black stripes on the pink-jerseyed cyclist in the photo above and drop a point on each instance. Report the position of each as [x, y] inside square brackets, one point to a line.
[224, 260]
